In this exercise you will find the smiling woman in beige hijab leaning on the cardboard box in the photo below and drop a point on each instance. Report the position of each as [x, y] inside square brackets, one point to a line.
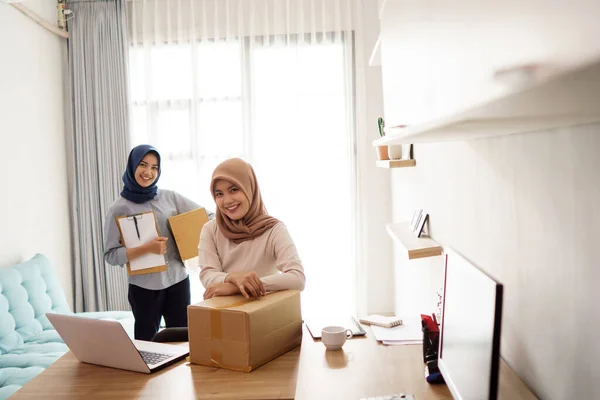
[245, 250]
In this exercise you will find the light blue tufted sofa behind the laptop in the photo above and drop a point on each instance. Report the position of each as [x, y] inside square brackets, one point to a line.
[28, 342]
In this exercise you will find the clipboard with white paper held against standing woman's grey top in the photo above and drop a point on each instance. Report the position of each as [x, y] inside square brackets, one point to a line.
[136, 230]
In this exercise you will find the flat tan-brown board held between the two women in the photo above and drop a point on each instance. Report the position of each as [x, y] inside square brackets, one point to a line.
[186, 229]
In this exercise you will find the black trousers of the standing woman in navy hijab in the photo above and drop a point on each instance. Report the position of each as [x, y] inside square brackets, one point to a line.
[149, 306]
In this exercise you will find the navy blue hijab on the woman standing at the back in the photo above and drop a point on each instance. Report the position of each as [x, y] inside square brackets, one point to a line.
[131, 190]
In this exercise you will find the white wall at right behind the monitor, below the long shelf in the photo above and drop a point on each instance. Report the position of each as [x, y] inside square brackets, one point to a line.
[524, 208]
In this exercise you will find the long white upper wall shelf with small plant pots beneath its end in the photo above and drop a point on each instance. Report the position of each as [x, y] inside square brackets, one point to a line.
[569, 99]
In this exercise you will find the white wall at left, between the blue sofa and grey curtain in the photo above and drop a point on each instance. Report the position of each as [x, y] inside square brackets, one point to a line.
[34, 201]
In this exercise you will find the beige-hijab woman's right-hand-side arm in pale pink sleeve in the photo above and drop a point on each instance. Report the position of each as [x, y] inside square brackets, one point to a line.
[287, 261]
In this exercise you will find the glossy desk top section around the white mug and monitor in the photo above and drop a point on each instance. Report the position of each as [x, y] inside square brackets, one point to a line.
[366, 368]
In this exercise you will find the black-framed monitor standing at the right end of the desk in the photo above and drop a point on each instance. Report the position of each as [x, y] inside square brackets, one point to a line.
[469, 352]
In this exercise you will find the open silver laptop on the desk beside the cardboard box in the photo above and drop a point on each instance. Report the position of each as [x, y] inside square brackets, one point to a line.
[106, 343]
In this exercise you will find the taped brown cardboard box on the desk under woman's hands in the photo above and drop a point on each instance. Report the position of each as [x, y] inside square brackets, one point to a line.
[242, 334]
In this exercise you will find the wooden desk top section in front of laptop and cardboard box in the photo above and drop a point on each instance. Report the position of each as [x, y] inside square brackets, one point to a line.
[69, 378]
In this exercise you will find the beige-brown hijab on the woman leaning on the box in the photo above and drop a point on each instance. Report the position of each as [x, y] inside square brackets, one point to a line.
[256, 221]
